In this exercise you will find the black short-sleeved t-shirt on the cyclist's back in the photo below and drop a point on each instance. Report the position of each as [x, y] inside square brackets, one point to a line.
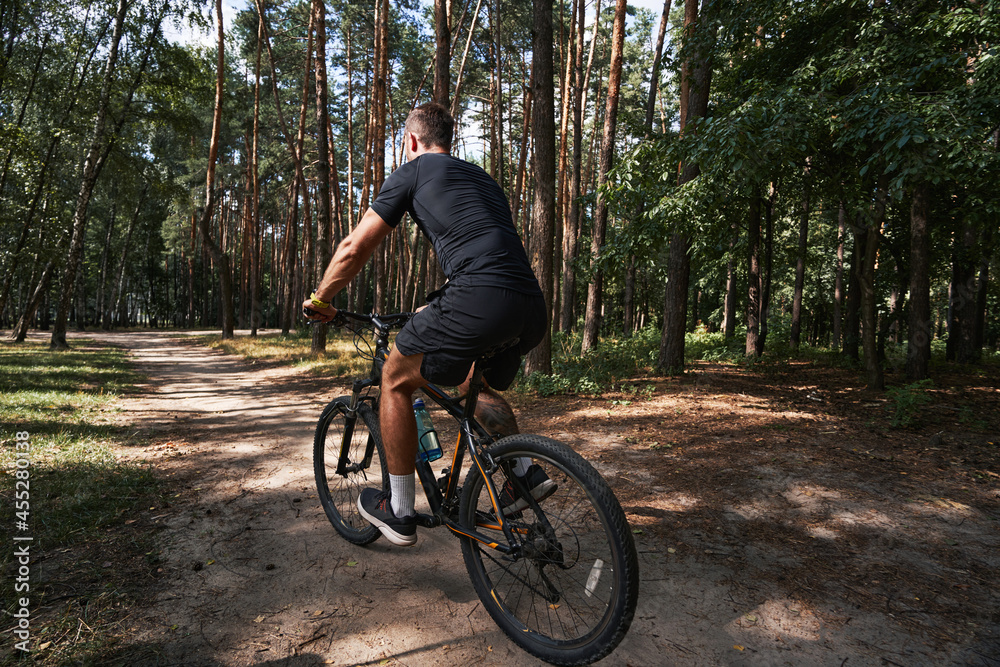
[465, 214]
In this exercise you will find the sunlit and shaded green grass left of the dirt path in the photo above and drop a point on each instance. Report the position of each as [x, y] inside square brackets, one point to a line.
[82, 493]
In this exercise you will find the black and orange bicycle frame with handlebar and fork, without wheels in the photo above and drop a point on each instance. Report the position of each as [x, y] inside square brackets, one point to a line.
[472, 437]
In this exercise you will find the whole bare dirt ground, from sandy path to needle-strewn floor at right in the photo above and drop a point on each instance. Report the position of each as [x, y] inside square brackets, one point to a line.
[779, 520]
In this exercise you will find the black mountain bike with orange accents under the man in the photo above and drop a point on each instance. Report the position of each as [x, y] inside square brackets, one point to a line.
[559, 575]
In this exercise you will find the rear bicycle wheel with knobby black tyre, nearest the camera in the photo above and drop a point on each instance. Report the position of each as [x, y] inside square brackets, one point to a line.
[569, 596]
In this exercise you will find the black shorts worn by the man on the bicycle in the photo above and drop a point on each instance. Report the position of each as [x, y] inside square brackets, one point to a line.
[462, 322]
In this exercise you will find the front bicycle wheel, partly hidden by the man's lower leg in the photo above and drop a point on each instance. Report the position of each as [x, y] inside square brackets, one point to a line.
[358, 436]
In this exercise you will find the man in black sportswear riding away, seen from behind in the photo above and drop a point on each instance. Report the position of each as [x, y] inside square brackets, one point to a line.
[491, 298]
